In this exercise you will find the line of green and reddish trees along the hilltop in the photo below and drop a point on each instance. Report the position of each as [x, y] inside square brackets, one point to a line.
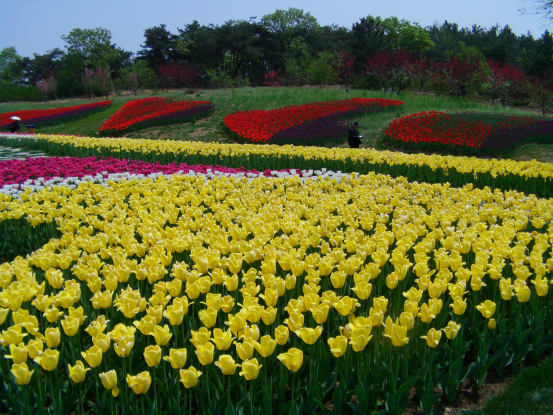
[290, 48]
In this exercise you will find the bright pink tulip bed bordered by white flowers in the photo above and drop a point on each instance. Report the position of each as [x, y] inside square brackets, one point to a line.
[19, 171]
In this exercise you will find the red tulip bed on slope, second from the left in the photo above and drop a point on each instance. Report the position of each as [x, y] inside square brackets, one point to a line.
[155, 111]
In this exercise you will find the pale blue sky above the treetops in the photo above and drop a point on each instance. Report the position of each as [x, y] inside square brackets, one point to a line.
[35, 26]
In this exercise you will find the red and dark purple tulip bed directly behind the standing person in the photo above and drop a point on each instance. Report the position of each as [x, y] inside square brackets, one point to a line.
[307, 124]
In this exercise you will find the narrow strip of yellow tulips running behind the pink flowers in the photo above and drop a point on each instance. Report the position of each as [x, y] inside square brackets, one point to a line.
[530, 177]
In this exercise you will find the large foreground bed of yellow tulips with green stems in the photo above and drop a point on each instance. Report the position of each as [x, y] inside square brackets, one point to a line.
[370, 283]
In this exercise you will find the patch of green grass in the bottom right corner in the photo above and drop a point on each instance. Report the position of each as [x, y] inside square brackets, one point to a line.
[529, 393]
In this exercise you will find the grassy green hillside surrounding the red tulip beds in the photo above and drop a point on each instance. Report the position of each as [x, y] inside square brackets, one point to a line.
[229, 100]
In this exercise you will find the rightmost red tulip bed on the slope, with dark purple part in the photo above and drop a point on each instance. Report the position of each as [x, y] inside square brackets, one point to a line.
[467, 132]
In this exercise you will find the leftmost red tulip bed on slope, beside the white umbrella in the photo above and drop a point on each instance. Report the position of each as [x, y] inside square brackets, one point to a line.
[52, 115]
